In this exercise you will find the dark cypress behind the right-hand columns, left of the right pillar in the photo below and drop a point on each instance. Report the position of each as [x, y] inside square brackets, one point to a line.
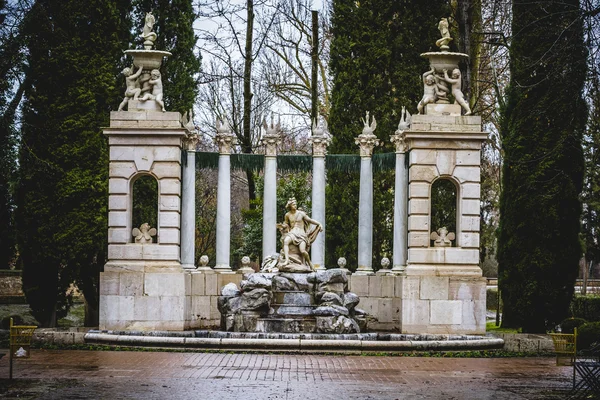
[376, 66]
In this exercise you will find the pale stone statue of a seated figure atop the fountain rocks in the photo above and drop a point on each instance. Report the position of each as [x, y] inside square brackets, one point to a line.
[297, 240]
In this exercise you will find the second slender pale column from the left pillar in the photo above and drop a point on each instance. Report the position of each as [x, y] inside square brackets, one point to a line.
[224, 140]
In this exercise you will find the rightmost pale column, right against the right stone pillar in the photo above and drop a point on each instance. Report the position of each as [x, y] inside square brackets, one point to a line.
[400, 205]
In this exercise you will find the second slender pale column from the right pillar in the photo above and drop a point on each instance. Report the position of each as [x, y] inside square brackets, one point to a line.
[367, 141]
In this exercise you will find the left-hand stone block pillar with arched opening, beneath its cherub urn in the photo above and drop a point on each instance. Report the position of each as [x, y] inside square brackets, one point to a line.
[143, 286]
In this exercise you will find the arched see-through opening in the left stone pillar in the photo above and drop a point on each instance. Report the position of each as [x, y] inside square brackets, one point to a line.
[144, 202]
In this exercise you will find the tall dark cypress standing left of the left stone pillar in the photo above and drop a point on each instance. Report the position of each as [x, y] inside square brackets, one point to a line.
[74, 52]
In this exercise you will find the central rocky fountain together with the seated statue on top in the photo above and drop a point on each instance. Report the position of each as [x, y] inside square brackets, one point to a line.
[288, 296]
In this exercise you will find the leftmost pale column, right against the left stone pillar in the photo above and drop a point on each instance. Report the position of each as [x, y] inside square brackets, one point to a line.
[188, 202]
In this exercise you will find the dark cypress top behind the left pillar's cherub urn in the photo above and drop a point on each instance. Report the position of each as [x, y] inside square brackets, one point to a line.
[174, 27]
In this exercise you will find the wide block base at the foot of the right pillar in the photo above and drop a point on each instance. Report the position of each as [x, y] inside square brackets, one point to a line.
[443, 304]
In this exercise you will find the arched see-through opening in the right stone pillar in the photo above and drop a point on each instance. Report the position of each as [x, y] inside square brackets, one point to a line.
[444, 206]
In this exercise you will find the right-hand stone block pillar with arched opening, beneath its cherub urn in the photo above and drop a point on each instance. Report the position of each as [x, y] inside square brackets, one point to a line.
[443, 290]
